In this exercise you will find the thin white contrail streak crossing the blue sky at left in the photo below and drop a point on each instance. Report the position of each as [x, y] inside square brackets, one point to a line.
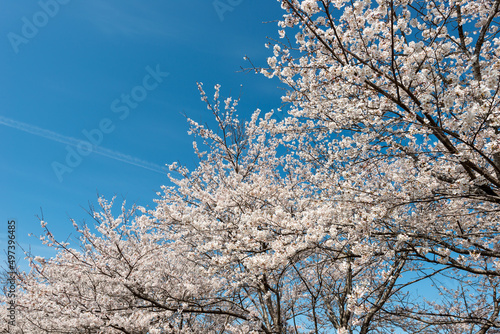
[115, 155]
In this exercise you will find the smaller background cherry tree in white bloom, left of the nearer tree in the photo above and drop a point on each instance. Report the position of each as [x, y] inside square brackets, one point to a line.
[244, 243]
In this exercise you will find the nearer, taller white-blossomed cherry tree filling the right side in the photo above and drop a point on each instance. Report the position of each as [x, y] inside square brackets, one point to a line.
[401, 99]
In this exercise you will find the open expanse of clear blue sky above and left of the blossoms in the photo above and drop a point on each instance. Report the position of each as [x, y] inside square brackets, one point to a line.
[78, 69]
